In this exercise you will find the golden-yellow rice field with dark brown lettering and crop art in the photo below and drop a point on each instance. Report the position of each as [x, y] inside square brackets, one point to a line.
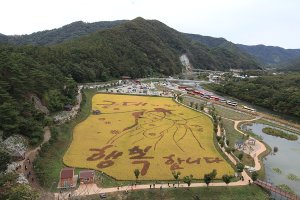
[152, 134]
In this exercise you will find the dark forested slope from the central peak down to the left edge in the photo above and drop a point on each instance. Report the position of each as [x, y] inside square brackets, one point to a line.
[137, 48]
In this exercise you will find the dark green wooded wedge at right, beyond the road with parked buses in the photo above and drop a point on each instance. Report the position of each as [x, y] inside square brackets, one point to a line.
[280, 93]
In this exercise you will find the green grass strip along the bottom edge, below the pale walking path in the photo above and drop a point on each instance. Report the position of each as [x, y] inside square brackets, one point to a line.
[251, 192]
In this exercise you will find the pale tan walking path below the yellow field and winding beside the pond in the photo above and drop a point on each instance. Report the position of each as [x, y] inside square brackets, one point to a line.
[90, 189]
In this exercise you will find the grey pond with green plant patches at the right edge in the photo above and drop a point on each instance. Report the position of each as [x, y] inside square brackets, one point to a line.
[287, 159]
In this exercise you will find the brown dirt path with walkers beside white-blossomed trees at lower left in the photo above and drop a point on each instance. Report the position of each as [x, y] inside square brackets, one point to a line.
[26, 164]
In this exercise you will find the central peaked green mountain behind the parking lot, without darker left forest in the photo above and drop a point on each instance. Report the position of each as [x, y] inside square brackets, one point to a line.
[143, 47]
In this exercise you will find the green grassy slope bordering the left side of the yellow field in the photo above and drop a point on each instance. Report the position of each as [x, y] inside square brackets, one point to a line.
[49, 162]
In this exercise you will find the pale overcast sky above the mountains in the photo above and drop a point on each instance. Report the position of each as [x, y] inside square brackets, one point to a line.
[269, 22]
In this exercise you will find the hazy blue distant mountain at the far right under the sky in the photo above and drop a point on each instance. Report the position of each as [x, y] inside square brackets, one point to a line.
[269, 55]
